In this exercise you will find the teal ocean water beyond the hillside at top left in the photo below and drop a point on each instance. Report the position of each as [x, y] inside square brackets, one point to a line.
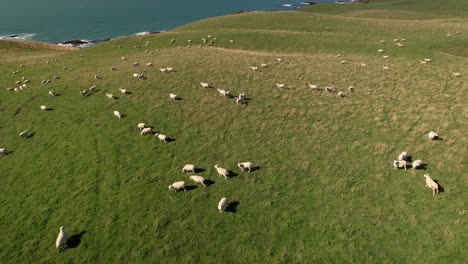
[60, 20]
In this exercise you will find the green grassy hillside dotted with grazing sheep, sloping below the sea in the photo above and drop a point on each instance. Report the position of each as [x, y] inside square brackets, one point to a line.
[325, 189]
